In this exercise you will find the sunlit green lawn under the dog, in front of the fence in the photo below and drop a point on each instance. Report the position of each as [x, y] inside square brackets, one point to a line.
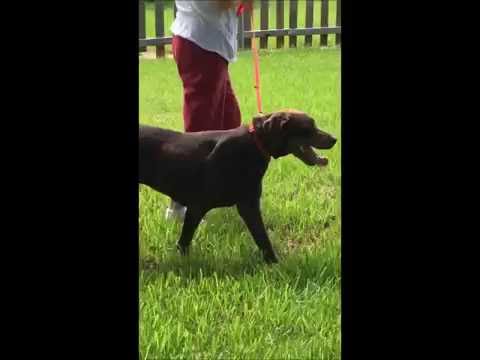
[223, 301]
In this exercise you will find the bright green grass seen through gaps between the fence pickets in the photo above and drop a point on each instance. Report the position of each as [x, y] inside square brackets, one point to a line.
[272, 21]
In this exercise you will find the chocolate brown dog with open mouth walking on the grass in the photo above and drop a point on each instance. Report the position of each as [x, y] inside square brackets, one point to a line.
[212, 169]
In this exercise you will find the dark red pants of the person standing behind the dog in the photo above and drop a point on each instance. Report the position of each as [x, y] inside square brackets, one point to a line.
[209, 102]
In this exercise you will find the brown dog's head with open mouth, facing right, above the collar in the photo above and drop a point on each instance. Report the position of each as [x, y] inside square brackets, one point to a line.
[293, 132]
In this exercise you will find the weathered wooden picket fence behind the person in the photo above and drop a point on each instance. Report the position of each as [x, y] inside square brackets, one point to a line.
[244, 27]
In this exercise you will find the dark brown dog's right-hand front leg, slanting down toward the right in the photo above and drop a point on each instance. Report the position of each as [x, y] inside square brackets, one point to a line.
[250, 212]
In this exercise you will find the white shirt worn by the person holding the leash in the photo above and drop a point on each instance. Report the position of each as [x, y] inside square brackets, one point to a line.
[205, 24]
